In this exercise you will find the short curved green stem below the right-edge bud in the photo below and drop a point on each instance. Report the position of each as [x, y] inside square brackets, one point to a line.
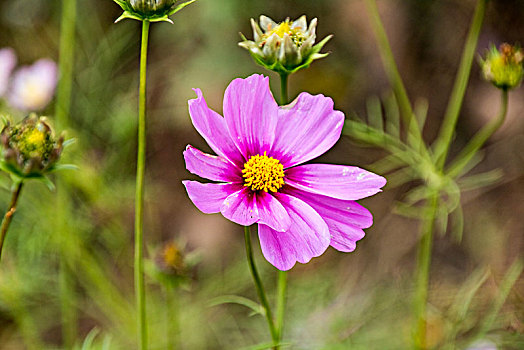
[480, 138]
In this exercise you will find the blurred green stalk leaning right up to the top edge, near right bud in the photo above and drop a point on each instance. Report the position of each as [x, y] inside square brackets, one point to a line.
[444, 139]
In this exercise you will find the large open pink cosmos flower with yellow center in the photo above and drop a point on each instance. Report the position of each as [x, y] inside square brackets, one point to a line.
[300, 209]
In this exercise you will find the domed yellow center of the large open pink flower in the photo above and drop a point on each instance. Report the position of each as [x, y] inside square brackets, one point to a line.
[263, 173]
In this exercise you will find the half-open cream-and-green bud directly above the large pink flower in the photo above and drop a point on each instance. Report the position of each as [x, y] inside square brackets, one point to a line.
[285, 47]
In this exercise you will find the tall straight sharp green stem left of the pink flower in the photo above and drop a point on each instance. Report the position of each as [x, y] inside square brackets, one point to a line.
[139, 194]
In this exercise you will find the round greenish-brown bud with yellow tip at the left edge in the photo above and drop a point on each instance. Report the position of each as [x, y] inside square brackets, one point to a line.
[30, 148]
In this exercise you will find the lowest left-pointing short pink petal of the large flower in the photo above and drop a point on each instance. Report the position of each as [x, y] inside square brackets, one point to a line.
[209, 197]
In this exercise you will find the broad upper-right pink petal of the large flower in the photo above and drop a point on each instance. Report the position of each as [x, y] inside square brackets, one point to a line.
[306, 128]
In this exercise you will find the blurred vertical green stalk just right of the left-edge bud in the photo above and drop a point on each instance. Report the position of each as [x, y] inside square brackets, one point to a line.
[69, 322]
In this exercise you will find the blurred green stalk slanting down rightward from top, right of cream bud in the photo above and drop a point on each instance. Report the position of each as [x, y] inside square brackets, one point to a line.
[392, 72]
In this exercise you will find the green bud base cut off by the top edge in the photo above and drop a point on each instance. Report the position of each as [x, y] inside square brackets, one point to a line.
[150, 10]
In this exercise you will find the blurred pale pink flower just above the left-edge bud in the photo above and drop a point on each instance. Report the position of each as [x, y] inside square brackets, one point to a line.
[32, 87]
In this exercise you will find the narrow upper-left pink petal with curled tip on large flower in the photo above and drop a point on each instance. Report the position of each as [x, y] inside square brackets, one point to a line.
[213, 129]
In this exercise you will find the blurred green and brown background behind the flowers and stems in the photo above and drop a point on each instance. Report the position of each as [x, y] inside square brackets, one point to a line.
[361, 300]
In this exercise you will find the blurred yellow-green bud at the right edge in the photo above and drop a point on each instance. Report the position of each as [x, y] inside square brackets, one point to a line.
[504, 67]
